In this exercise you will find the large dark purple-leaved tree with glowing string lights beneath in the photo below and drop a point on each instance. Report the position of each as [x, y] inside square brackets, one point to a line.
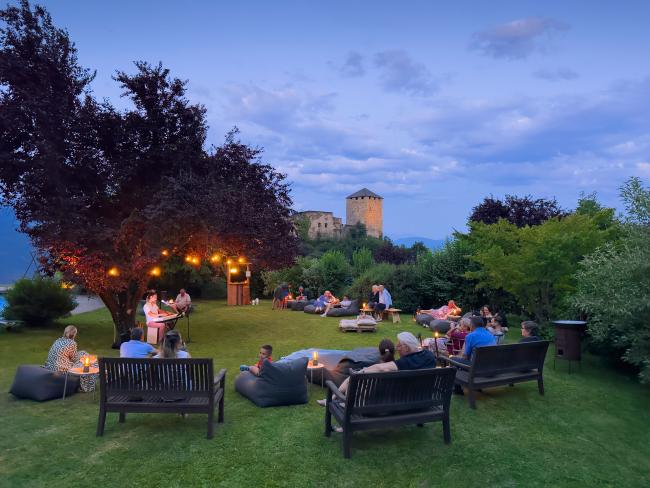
[101, 192]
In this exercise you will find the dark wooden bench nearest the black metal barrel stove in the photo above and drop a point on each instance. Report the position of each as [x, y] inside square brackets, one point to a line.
[502, 365]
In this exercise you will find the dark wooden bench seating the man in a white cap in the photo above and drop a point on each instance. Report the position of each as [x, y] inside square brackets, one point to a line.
[382, 400]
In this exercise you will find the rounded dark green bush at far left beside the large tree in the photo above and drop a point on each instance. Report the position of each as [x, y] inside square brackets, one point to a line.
[38, 301]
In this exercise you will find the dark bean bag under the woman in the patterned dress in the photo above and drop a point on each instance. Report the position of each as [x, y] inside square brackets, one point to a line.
[40, 384]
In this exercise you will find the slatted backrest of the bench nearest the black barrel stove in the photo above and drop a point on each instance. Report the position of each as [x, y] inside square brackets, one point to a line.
[509, 358]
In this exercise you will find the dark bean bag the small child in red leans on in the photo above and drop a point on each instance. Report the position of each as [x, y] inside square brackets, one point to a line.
[280, 383]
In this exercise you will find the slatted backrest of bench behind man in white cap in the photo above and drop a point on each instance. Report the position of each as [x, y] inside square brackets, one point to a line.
[399, 391]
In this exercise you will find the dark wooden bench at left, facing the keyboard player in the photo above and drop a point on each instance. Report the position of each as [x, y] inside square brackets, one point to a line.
[159, 386]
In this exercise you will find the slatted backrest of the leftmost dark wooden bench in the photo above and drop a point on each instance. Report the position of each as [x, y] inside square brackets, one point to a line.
[156, 378]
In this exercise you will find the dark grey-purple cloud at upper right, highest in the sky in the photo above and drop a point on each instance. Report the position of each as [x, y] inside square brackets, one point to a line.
[517, 39]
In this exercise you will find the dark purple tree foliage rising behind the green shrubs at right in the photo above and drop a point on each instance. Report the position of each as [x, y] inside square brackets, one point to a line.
[520, 211]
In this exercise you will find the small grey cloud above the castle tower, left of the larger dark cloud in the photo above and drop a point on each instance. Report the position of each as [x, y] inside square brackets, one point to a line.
[400, 73]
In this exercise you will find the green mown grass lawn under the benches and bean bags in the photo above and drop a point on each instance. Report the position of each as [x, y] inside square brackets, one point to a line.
[590, 429]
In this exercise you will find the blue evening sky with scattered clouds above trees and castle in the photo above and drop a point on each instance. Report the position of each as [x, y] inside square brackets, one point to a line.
[432, 105]
